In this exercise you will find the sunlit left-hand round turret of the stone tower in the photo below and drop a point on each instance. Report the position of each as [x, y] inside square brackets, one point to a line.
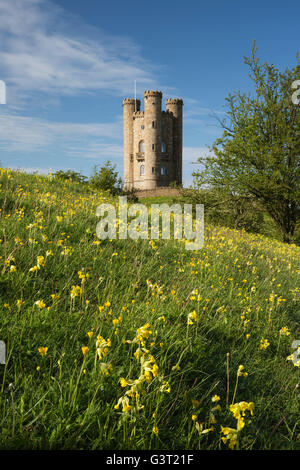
[129, 107]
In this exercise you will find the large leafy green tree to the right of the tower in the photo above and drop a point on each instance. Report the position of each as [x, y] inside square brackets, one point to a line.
[258, 153]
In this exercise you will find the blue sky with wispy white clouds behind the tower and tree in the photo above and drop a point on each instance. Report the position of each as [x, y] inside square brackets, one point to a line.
[68, 64]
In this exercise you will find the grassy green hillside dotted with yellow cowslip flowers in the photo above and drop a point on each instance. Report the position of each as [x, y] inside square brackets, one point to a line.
[124, 344]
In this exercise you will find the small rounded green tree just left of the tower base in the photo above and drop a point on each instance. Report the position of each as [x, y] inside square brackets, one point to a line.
[106, 178]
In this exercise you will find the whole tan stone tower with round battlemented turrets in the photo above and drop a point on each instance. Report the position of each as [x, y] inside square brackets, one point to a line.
[152, 142]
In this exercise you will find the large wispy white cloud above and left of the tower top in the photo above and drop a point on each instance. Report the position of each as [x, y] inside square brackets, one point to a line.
[43, 51]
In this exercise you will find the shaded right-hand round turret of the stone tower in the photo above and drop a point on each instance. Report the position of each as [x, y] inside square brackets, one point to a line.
[175, 107]
